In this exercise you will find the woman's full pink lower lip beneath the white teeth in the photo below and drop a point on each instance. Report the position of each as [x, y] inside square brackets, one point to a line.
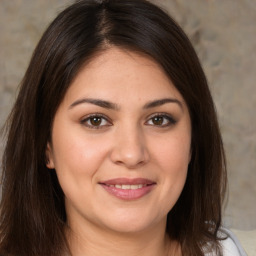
[128, 194]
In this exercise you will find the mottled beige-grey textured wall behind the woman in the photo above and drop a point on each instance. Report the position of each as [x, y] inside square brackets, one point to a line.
[224, 35]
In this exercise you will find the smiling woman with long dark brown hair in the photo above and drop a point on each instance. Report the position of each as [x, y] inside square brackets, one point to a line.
[113, 144]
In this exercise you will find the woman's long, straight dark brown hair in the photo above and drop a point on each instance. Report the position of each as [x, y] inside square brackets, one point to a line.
[32, 217]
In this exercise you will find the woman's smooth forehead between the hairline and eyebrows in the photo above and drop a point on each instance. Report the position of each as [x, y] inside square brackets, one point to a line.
[121, 75]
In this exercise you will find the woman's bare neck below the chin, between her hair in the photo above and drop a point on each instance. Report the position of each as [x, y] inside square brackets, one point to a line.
[93, 241]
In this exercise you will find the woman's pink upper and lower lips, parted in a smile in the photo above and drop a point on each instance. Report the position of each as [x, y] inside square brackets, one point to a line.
[128, 194]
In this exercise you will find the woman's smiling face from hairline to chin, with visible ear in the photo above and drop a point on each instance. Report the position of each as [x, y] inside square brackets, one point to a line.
[121, 144]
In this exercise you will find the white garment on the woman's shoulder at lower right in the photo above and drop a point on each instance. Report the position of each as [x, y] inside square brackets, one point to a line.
[231, 245]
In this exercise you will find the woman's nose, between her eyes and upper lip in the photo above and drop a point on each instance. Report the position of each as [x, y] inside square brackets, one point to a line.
[130, 149]
